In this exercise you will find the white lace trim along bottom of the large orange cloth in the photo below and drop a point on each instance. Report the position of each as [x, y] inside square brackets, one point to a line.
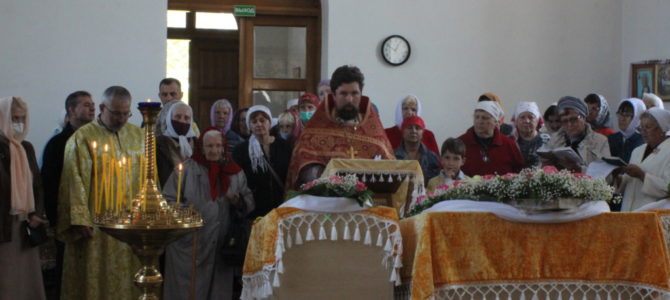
[569, 290]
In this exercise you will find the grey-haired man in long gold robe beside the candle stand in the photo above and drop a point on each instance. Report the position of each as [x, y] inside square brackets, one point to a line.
[97, 266]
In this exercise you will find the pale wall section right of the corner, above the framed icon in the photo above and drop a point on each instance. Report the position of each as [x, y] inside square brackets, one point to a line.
[644, 35]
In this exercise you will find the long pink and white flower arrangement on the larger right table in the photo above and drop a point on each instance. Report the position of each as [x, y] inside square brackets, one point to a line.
[543, 185]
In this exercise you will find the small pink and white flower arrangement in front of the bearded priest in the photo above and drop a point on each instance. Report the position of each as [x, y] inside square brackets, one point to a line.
[336, 186]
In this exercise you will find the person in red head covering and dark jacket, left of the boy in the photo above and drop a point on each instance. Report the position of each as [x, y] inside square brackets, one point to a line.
[411, 147]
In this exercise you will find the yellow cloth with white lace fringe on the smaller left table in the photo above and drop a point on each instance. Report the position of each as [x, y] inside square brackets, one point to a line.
[287, 227]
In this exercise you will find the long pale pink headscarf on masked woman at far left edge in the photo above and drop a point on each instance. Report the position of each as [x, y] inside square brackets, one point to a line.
[23, 200]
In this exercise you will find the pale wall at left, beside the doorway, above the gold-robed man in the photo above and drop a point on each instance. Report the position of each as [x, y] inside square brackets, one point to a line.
[52, 48]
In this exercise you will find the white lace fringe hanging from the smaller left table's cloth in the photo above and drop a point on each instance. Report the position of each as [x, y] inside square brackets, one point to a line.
[257, 285]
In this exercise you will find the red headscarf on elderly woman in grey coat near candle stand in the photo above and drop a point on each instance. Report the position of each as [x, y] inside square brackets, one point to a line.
[217, 169]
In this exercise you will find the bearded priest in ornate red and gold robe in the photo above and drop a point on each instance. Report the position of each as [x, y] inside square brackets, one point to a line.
[344, 126]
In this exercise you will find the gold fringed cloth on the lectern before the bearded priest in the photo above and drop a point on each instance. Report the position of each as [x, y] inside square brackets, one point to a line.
[371, 171]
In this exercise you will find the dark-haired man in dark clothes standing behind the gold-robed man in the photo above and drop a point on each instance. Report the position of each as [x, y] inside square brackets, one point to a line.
[80, 111]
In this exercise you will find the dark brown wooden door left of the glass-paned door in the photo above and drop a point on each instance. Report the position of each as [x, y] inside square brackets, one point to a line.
[214, 73]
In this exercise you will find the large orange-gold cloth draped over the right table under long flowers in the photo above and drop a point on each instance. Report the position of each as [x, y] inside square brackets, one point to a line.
[455, 254]
